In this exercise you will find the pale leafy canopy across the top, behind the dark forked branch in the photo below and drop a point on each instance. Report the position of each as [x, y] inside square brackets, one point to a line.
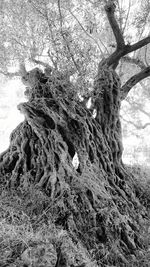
[68, 34]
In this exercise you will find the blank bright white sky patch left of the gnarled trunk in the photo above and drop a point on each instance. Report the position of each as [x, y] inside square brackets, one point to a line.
[11, 94]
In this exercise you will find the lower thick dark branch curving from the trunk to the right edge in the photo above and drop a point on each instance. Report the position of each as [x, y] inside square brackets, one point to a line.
[133, 81]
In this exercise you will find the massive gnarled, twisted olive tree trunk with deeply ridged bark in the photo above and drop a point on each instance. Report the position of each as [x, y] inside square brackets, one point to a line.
[94, 201]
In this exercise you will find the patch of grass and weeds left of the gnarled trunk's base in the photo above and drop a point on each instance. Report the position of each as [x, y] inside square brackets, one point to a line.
[28, 235]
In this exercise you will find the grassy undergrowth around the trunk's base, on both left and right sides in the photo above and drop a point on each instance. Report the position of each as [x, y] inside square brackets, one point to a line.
[28, 233]
